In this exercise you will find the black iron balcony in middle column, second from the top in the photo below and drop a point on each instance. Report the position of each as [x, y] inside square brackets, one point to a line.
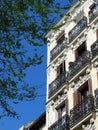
[79, 64]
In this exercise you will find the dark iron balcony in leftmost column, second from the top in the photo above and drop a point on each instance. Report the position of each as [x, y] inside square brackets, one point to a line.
[57, 84]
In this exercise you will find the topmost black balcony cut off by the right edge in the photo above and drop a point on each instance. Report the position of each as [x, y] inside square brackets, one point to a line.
[93, 13]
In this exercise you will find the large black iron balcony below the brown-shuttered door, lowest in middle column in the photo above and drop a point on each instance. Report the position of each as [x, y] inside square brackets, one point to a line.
[82, 110]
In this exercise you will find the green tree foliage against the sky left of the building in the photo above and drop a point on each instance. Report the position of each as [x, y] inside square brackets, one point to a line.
[22, 23]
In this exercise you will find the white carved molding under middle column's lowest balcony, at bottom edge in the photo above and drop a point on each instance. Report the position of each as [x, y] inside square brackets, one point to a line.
[90, 126]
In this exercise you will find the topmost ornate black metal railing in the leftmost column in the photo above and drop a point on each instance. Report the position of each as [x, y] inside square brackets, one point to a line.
[58, 49]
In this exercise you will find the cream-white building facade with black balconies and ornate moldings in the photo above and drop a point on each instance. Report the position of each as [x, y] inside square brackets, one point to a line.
[72, 70]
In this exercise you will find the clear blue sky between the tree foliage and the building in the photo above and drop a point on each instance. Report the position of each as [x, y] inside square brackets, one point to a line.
[29, 111]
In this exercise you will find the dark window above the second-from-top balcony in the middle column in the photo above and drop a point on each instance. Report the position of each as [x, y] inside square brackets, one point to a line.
[81, 49]
